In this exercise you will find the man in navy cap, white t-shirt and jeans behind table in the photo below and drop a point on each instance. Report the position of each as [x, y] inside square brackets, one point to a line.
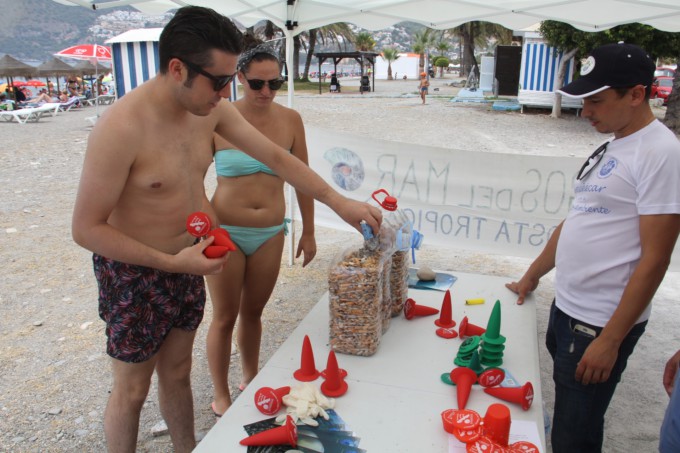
[613, 249]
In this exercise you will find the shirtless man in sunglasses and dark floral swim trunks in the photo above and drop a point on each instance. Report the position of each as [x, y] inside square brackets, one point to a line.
[142, 176]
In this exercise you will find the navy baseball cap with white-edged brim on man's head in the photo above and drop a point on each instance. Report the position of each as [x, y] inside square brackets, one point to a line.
[612, 66]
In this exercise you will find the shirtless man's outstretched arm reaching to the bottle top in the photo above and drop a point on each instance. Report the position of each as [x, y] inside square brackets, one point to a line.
[235, 129]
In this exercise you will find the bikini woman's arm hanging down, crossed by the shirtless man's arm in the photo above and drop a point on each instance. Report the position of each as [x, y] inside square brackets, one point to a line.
[307, 242]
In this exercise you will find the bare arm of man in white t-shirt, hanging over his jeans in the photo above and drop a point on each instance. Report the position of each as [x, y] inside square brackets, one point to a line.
[658, 234]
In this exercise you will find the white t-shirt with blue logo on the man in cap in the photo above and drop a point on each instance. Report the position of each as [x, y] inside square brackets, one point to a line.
[599, 245]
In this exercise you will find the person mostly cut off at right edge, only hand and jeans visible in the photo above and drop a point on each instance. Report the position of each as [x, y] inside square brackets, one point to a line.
[669, 439]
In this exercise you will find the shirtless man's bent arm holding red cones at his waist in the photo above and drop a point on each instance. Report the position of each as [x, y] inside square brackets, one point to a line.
[106, 167]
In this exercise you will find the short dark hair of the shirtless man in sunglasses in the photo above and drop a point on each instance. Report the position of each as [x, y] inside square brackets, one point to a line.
[193, 33]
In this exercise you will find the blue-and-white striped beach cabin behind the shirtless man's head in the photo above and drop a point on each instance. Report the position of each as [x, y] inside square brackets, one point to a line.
[136, 59]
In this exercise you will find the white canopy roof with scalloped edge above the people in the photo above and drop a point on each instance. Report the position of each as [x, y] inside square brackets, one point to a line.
[301, 15]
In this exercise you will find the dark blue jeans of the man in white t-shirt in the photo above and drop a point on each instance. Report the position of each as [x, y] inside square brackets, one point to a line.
[578, 419]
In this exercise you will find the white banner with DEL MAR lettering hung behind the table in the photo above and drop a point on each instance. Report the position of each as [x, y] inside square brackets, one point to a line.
[505, 204]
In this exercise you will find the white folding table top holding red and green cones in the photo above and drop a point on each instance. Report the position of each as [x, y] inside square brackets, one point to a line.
[395, 397]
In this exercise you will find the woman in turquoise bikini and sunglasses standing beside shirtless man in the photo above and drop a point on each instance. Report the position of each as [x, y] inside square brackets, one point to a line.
[249, 202]
